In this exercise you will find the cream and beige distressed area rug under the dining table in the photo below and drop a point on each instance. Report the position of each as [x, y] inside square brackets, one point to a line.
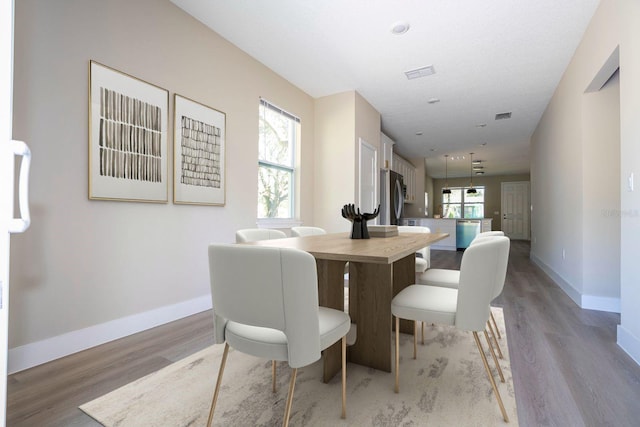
[446, 386]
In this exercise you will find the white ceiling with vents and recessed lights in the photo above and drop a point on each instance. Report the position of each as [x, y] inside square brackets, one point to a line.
[490, 57]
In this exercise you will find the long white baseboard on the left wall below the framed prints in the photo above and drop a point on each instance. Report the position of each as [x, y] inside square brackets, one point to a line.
[37, 353]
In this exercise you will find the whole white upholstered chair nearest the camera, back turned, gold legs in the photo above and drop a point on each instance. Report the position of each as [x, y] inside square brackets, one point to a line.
[271, 310]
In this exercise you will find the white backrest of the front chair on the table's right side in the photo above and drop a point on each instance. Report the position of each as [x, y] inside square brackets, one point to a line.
[482, 274]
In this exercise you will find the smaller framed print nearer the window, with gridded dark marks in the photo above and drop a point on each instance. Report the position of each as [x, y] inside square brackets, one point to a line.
[198, 153]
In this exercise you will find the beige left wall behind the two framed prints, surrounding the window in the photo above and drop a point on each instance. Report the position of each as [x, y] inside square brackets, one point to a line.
[84, 263]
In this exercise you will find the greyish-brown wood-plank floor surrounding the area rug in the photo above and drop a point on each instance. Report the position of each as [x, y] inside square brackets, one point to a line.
[567, 367]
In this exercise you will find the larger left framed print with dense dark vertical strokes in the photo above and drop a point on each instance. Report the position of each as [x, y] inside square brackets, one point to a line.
[127, 137]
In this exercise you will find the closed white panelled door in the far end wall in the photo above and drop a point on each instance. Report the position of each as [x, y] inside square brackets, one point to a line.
[515, 210]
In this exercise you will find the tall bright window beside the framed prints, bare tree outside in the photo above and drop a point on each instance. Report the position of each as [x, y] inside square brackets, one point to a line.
[278, 135]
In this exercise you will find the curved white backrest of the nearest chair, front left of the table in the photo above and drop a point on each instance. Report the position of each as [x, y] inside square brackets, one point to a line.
[279, 291]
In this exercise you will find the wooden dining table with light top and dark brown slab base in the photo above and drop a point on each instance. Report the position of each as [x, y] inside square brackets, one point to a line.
[379, 268]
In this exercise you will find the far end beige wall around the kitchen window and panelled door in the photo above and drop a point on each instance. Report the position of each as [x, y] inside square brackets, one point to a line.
[492, 195]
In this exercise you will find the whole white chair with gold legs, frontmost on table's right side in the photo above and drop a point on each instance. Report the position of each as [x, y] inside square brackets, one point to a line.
[483, 269]
